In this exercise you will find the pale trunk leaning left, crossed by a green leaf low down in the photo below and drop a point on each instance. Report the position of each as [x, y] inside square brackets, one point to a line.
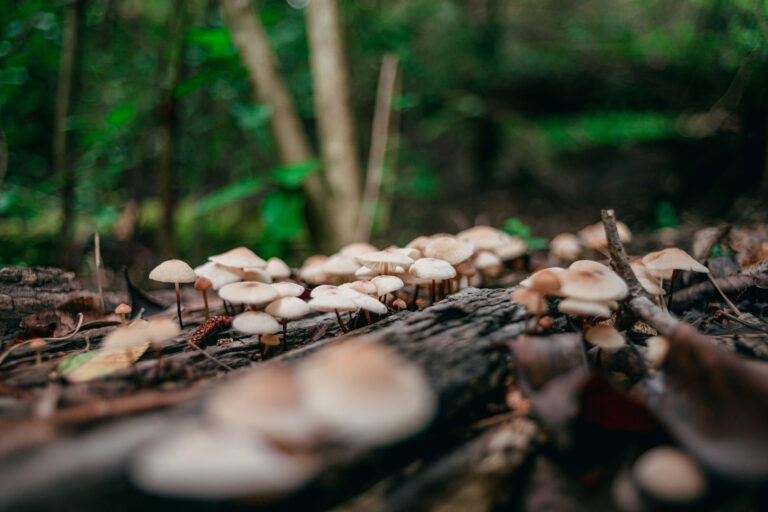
[250, 38]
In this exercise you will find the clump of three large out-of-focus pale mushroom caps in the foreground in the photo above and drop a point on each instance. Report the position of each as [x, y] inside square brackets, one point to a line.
[263, 432]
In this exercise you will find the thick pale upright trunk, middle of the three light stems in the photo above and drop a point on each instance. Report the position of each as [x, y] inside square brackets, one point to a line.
[332, 110]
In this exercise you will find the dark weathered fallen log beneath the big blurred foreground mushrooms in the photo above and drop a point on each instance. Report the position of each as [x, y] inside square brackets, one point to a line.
[455, 342]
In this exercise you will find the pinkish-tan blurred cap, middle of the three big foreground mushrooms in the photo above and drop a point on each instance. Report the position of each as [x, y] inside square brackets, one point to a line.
[267, 401]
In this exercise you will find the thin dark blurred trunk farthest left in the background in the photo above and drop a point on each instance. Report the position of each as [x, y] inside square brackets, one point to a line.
[65, 96]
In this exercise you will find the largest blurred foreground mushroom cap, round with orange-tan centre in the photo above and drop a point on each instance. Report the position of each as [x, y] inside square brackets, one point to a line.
[364, 393]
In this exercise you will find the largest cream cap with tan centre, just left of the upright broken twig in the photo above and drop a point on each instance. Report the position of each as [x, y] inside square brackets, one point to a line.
[592, 281]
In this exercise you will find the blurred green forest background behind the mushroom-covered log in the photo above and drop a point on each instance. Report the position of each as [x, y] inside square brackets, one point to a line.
[145, 120]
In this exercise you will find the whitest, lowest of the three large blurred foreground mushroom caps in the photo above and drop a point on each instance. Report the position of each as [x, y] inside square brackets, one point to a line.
[218, 464]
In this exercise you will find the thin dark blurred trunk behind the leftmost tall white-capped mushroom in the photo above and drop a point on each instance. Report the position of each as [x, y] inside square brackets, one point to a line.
[168, 124]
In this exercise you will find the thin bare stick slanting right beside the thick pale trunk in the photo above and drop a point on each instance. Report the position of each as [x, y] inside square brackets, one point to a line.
[378, 150]
